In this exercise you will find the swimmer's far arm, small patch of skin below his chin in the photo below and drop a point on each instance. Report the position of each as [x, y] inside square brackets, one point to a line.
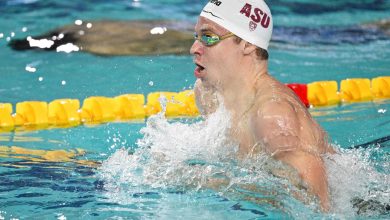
[205, 97]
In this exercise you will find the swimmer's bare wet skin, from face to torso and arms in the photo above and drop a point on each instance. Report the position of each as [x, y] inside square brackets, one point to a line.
[266, 116]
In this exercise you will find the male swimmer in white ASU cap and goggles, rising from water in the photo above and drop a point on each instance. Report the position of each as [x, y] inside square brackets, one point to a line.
[231, 56]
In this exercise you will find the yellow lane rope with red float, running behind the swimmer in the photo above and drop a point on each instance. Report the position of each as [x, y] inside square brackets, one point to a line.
[99, 109]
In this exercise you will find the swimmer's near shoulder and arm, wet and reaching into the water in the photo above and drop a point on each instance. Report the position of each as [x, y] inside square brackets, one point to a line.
[276, 126]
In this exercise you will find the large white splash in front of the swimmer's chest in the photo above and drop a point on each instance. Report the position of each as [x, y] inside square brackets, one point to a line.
[164, 154]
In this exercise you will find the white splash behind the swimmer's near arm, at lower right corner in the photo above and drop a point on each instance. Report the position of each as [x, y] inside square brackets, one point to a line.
[352, 175]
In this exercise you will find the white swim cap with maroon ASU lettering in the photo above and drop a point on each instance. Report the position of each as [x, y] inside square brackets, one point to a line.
[250, 20]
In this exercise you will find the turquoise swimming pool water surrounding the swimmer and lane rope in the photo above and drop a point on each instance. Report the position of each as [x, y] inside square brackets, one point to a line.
[104, 182]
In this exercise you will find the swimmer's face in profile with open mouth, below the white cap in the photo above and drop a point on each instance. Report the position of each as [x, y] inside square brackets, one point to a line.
[214, 63]
